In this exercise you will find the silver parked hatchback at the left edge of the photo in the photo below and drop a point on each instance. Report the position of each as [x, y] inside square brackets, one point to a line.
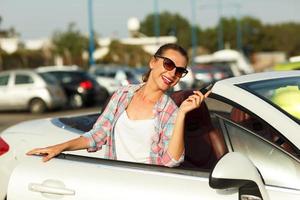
[29, 90]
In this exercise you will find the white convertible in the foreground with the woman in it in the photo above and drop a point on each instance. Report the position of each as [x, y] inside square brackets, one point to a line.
[243, 143]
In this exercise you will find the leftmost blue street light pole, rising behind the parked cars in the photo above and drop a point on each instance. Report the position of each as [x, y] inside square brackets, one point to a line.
[91, 33]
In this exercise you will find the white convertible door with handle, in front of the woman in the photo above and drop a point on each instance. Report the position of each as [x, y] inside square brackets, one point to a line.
[86, 178]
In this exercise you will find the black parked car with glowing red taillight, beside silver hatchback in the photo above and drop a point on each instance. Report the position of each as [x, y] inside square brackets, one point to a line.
[80, 88]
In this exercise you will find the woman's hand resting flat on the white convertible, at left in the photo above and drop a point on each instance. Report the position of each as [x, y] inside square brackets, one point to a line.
[48, 152]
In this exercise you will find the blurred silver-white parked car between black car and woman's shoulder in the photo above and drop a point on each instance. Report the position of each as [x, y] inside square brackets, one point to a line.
[112, 77]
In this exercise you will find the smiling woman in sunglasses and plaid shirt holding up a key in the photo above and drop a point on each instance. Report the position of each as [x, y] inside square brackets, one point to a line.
[141, 123]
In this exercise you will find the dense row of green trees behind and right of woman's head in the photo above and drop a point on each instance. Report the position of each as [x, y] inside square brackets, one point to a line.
[254, 35]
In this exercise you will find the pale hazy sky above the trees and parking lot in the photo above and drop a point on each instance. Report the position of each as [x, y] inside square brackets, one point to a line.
[35, 19]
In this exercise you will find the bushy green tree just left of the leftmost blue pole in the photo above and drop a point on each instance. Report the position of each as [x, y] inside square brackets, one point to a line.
[70, 45]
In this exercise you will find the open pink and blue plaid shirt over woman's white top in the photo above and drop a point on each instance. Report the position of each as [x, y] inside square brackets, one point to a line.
[165, 111]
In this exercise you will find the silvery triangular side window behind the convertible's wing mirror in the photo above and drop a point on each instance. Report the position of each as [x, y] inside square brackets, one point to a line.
[276, 167]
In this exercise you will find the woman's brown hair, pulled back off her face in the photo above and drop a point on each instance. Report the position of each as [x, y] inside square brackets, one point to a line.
[163, 49]
